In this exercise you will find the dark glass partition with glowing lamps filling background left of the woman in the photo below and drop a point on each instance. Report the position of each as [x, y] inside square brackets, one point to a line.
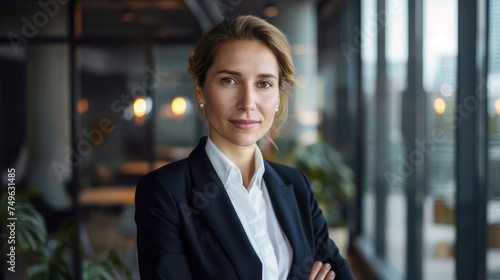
[92, 92]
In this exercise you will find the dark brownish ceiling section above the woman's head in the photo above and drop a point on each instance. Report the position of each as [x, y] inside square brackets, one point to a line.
[163, 18]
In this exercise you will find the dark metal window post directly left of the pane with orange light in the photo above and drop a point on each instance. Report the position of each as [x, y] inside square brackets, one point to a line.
[414, 128]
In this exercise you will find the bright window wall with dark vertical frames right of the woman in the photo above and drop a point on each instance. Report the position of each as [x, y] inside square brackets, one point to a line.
[427, 140]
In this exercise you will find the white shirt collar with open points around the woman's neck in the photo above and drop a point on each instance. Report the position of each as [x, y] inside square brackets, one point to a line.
[224, 167]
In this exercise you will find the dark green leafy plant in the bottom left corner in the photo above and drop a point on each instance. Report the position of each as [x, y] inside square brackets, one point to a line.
[49, 257]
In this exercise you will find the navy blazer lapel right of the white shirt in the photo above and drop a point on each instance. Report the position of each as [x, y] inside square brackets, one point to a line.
[286, 210]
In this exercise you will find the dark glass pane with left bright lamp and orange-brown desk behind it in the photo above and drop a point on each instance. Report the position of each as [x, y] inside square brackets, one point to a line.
[115, 109]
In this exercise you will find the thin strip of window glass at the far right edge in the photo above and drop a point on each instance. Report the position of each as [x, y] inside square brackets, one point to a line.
[493, 92]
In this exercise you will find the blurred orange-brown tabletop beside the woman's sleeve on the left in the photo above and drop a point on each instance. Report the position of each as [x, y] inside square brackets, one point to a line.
[108, 196]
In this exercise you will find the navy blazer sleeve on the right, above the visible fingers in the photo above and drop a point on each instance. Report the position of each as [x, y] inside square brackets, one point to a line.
[325, 248]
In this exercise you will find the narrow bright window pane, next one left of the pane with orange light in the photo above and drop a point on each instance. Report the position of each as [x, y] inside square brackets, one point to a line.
[397, 59]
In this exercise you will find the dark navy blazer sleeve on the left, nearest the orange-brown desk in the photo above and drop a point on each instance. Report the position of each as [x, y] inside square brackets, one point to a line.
[160, 245]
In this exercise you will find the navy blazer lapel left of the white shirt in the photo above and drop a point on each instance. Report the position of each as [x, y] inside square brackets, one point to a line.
[211, 198]
